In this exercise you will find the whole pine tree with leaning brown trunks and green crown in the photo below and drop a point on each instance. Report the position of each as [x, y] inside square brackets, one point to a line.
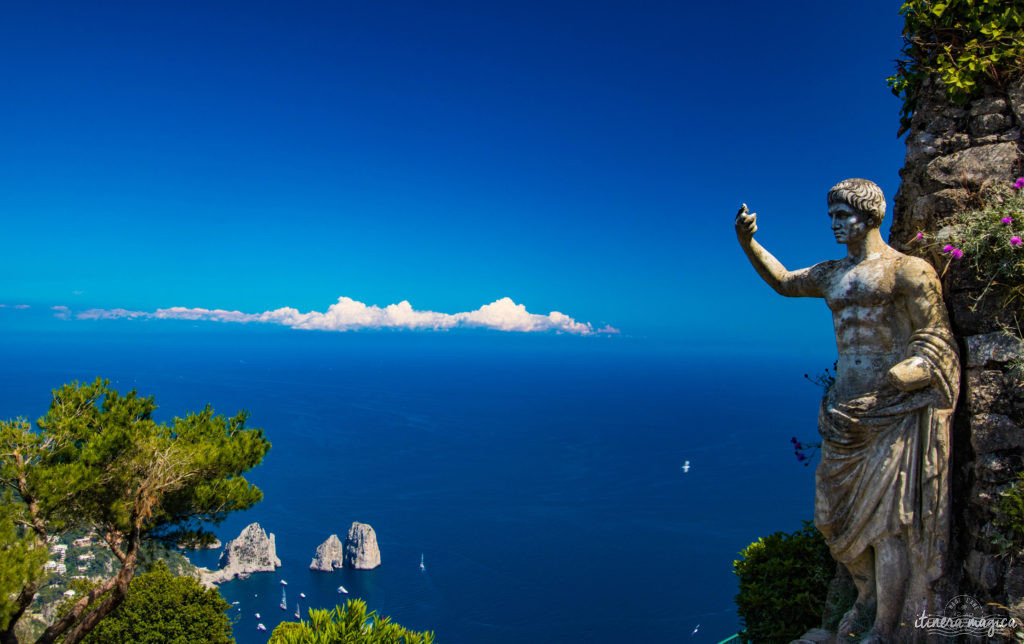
[99, 460]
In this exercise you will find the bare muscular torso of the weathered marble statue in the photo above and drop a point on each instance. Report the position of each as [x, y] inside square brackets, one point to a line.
[872, 324]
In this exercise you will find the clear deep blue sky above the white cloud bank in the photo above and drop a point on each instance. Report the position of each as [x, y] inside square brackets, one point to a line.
[585, 158]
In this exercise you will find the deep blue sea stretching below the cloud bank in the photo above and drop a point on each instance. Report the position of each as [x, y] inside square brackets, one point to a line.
[539, 477]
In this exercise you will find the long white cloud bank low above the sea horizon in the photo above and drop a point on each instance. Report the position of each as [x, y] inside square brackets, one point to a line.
[350, 315]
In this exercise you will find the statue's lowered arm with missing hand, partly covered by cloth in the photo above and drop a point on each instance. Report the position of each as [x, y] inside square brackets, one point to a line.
[921, 290]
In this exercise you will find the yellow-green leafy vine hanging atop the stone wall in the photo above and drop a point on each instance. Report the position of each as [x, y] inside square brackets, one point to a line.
[963, 42]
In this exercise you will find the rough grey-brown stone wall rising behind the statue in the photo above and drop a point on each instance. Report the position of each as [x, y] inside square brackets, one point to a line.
[953, 153]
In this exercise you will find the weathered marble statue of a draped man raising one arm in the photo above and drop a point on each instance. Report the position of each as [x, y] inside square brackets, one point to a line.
[882, 489]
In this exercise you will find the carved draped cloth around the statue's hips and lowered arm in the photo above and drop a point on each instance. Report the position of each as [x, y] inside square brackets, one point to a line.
[885, 456]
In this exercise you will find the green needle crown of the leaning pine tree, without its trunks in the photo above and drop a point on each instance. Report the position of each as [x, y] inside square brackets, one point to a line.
[110, 464]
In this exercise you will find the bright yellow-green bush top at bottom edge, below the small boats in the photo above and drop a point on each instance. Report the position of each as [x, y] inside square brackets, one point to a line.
[351, 625]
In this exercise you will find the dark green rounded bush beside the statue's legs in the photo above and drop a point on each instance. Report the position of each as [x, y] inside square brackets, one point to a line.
[784, 580]
